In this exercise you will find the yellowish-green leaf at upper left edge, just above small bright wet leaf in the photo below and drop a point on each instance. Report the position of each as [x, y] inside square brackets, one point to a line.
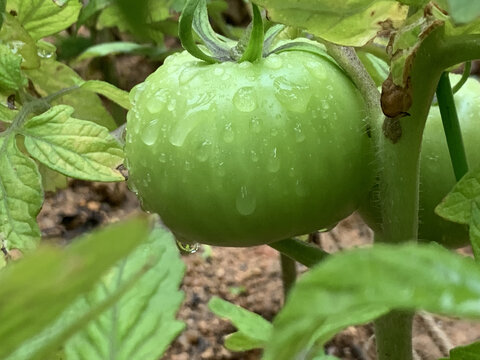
[13, 34]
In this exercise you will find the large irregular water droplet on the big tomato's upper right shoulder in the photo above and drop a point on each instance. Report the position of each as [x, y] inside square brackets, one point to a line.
[293, 96]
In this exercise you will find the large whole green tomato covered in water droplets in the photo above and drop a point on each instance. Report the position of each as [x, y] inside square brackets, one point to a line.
[241, 154]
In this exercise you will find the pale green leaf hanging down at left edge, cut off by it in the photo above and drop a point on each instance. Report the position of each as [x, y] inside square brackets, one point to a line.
[21, 197]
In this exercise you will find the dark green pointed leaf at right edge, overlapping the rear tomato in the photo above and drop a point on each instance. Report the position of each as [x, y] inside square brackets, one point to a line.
[461, 205]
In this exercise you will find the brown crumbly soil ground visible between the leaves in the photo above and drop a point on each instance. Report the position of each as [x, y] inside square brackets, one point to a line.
[249, 277]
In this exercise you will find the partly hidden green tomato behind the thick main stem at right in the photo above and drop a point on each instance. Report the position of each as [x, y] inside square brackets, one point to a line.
[436, 172]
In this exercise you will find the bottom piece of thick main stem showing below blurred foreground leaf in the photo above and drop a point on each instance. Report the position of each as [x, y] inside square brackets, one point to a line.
[393, 333]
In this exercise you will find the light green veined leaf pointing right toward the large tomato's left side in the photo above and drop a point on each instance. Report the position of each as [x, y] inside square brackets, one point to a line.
[76, 148]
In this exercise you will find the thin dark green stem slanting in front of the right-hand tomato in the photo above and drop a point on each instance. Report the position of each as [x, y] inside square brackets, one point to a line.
[451, 126]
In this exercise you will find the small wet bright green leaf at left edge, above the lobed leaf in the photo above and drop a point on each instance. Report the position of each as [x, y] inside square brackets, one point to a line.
[11, 77]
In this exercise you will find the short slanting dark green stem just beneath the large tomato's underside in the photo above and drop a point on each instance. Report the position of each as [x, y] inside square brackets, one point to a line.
[300, 251]
